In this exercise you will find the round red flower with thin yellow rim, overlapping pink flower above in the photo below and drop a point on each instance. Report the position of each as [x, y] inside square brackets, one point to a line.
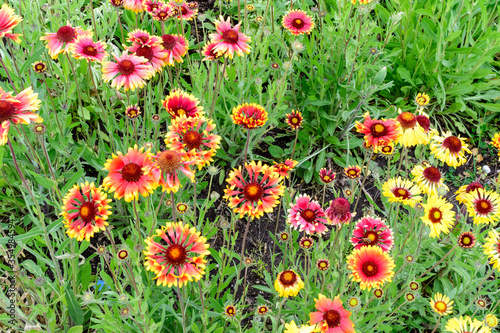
[370, 266]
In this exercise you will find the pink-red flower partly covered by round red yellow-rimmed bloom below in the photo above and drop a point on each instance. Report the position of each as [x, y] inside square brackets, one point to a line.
[372, 231]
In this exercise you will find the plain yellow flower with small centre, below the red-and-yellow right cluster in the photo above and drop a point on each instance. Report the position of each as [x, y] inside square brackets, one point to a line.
[438, 215]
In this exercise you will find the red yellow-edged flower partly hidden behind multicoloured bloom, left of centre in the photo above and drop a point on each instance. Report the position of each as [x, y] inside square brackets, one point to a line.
[180, 103]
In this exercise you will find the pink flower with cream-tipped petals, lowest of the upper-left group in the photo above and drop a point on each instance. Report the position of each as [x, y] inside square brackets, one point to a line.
[129, 71]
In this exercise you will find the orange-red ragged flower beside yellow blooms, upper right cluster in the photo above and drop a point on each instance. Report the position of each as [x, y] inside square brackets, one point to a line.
[379, 132]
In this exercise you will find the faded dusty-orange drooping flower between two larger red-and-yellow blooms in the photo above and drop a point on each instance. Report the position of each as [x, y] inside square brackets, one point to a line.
[166, 167]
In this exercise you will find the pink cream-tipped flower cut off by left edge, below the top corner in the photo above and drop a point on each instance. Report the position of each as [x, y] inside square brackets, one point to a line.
[16, 109]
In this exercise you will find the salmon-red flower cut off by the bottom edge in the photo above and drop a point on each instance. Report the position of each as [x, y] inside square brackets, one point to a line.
[331, 316]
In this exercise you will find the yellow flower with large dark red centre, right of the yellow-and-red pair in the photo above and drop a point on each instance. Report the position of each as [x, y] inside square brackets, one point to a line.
[449, 149]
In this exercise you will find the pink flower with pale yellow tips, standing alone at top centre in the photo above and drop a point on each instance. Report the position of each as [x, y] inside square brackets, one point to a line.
[229, 40]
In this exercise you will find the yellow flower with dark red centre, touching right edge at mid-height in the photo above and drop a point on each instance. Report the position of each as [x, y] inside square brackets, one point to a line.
[483, 206]
